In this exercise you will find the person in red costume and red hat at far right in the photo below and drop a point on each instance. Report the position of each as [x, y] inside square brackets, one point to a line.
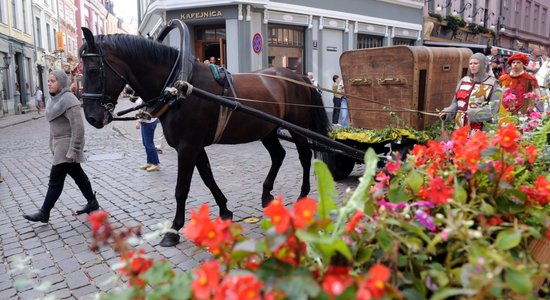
[517, 84]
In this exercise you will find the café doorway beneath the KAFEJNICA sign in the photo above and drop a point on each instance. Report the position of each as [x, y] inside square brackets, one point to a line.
[210, 42]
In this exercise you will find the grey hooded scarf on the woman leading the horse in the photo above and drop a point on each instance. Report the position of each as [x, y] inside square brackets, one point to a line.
[60, 102]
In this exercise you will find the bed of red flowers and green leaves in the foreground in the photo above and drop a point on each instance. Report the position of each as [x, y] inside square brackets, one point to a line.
[463, 218]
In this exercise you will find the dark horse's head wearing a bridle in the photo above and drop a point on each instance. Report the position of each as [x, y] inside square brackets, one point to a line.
[102, 82]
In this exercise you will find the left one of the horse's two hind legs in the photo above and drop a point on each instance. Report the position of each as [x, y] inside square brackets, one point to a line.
[277, 152]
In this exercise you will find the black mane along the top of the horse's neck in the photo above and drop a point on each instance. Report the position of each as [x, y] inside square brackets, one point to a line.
[136, 48]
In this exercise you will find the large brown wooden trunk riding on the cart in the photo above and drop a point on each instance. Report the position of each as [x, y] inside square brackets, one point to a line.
[398, 78]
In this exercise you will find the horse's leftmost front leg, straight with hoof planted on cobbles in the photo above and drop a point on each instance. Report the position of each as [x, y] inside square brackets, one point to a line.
[186, 164]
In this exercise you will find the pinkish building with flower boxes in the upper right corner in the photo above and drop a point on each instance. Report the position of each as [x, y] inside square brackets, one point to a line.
[519, 25]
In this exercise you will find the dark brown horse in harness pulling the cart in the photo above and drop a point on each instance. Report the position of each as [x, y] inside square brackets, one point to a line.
[110, 62]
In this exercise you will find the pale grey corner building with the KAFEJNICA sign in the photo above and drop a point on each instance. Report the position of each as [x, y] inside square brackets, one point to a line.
[305, 35]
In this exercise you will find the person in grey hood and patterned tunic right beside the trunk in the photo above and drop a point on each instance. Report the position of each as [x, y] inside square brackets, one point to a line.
[476, 98]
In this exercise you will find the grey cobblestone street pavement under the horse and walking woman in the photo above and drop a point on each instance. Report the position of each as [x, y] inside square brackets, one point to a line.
[59, 250]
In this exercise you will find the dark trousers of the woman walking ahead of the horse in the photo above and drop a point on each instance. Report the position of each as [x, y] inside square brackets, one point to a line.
[58, 174]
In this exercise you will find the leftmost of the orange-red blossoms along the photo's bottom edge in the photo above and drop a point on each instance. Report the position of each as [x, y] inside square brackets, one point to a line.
[207, 279]
